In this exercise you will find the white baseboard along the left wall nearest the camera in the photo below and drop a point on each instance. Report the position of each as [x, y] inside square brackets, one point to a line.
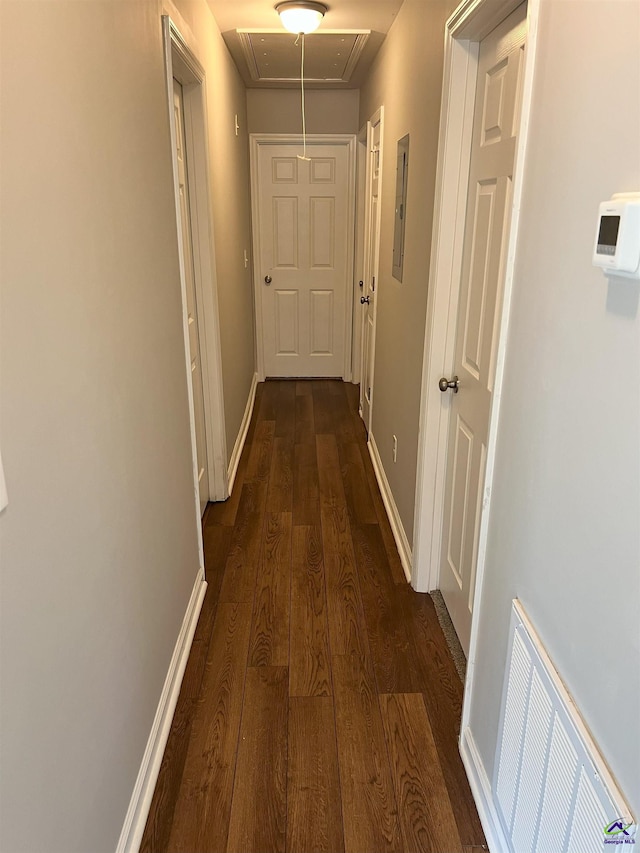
[140, 803]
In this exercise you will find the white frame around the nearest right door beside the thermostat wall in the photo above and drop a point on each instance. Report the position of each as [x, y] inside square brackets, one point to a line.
[467, 26]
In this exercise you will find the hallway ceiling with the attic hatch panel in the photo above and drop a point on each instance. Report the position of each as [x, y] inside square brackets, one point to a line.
[337, 55]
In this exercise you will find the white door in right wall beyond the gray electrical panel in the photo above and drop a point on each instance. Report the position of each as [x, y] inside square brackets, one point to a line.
[372, 249]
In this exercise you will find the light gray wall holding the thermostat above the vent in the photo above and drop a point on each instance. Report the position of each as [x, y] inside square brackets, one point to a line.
[564, 517]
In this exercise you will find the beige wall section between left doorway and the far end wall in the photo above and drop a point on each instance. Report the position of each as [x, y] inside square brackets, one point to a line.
[229, 164]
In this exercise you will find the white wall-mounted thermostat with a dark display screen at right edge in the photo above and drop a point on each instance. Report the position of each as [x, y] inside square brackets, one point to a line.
[617, 244]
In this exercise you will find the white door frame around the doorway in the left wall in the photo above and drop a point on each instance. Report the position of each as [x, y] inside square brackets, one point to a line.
[183, 65]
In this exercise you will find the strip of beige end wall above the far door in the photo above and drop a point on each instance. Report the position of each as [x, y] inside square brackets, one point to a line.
[279, 111]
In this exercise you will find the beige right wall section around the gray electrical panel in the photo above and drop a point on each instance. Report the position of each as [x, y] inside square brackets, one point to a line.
[406, 79]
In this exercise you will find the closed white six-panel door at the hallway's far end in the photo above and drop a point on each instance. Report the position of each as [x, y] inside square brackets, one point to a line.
[305, 257]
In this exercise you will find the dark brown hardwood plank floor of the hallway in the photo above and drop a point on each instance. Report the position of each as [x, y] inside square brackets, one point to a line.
[320, 707]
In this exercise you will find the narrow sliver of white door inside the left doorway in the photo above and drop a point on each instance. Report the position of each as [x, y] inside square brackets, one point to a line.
[192, 316]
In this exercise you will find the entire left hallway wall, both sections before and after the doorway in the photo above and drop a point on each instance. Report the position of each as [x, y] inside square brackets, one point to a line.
[98, 543]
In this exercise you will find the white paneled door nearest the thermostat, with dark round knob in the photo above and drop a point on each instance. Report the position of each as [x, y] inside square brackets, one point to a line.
[496, 119]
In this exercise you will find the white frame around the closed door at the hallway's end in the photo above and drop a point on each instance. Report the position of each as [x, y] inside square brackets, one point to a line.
[342, 139]
